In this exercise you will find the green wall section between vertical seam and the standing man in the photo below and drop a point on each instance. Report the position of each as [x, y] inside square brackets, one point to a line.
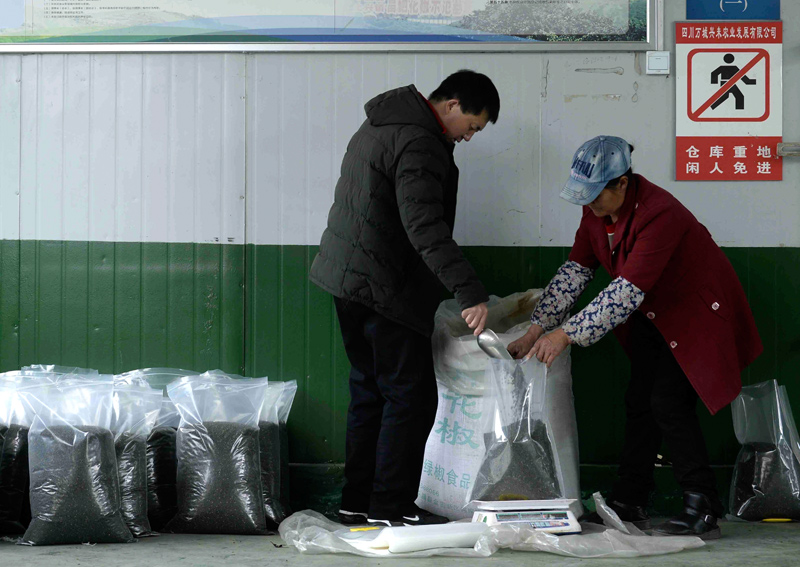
[293, 334]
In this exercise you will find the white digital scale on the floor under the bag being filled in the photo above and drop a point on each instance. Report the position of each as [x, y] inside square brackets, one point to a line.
[551, 516]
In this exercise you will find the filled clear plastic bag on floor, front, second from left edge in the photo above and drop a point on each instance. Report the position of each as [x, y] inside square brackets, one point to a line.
[74, 484]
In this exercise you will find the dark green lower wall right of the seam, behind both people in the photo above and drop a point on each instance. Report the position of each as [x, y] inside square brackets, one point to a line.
[292, 334]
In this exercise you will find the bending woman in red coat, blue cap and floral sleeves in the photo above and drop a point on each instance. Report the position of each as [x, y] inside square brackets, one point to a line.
[678, 309]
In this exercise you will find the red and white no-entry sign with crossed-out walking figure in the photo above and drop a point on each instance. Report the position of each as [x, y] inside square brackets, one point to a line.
[728, 101]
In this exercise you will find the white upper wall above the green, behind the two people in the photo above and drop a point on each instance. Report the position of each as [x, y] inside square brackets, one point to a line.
[208, 147]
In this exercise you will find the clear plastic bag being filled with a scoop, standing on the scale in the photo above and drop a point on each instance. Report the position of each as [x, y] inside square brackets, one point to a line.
[520, 461]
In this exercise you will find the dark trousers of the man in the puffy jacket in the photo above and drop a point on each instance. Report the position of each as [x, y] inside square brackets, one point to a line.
[393, 400]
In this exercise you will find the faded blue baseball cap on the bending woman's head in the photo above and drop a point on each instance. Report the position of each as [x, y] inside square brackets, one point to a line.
[596, 162]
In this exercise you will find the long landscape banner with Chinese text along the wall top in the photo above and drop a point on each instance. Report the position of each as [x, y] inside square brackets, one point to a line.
[322, 21]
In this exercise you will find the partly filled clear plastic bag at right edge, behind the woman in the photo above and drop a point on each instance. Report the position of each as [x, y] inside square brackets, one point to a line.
[766, 476]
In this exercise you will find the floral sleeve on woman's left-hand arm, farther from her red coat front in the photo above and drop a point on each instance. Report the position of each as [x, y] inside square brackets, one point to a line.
[561, 294]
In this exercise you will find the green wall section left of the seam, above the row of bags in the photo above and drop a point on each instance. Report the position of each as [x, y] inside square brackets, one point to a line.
[121, 306]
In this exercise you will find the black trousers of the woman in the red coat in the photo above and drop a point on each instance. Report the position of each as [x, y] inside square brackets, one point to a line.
[660, 404]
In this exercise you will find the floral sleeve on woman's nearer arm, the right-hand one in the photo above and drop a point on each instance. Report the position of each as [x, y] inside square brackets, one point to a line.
[612, 307]
